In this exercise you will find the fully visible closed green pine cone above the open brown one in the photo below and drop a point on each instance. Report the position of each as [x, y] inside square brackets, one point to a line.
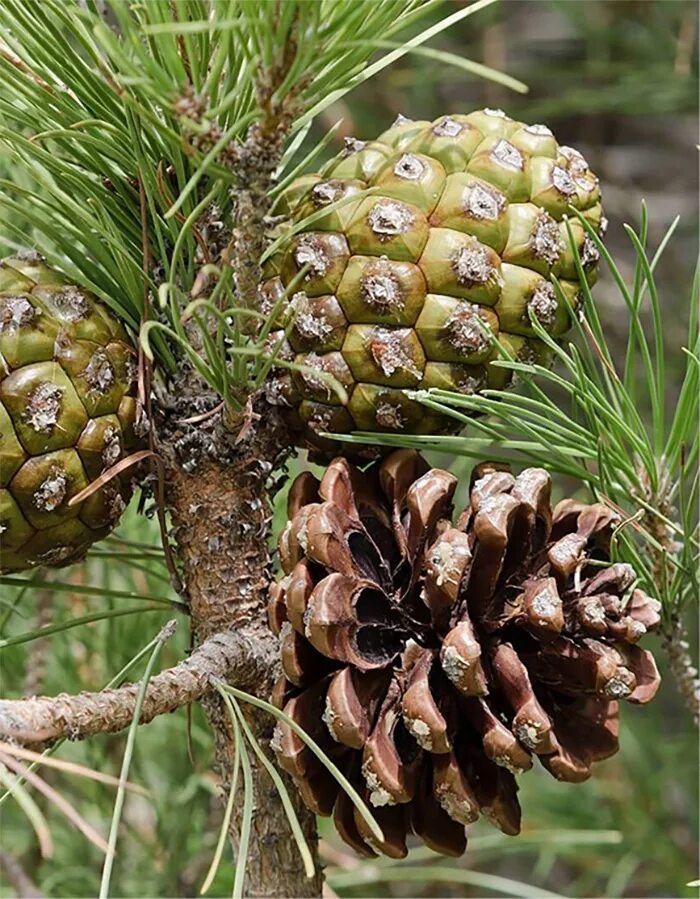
[442, 239]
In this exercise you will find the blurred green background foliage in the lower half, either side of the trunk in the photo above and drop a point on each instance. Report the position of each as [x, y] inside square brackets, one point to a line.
[630, 830]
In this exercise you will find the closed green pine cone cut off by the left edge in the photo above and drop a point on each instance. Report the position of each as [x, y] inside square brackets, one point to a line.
[67, 413]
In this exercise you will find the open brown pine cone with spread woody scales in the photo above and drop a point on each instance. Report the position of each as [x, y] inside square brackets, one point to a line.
[434, 662]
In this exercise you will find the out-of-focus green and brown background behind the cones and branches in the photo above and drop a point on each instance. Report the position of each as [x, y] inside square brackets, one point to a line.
[618, 79]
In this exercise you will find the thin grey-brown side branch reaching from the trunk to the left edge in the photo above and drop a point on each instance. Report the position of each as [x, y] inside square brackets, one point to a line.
[43, 719]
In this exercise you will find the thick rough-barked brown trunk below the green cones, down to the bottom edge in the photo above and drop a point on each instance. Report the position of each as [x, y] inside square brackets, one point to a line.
[221, 516]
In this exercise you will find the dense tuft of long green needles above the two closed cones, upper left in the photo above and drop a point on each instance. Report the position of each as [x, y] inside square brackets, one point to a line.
[124, 134]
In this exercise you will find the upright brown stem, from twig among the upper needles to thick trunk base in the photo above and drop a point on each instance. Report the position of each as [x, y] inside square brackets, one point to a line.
[219, 503]
